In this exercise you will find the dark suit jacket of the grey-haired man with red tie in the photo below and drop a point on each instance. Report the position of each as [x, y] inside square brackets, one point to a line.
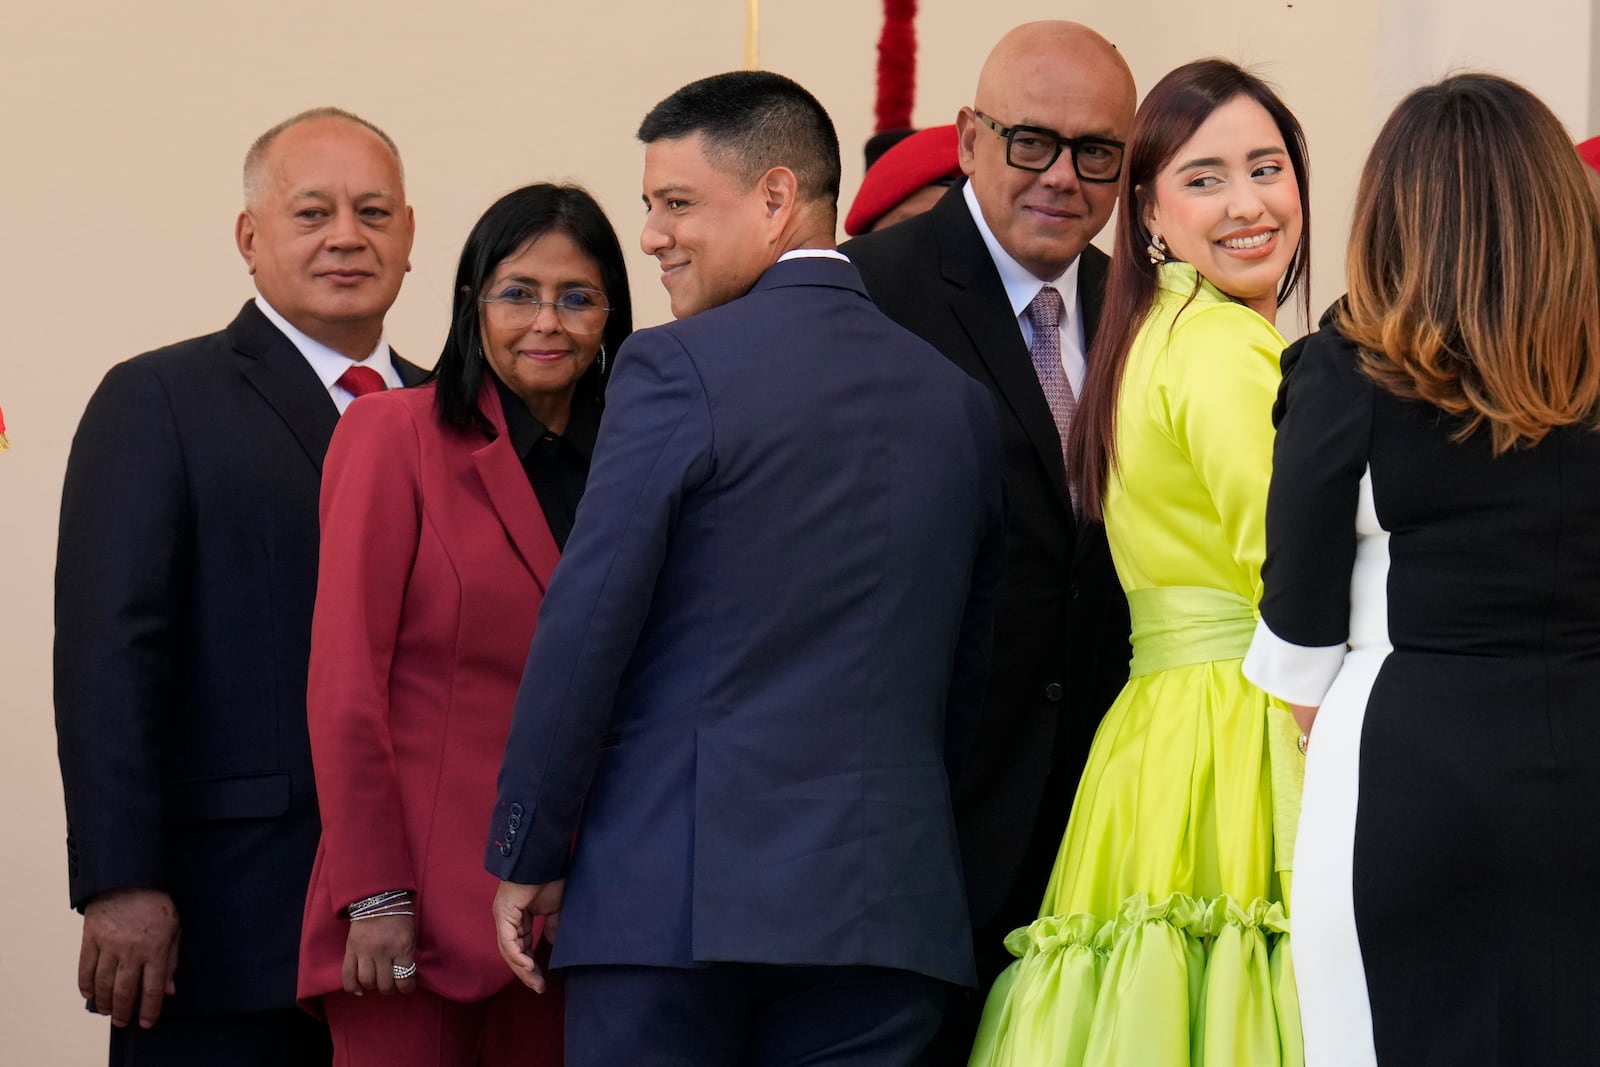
[185, 585]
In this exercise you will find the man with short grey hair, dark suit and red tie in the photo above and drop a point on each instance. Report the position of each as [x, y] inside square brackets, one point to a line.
[185, 585]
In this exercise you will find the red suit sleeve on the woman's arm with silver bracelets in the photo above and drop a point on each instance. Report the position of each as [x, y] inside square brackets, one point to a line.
[370, 529]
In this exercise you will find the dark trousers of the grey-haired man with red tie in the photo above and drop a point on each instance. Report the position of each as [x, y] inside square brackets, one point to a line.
[252, 1039]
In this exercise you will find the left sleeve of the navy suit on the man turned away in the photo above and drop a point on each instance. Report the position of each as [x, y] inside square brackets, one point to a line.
[655, 447]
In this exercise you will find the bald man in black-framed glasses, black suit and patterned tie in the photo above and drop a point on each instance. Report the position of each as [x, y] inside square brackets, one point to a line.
[1041, 148]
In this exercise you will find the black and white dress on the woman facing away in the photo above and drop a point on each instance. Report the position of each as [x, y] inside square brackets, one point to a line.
[1442, 607]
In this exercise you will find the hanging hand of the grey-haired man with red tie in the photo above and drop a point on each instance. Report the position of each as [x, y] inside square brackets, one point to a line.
[129, 954]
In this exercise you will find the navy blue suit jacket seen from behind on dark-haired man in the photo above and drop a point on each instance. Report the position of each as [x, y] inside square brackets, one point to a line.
[769, 631]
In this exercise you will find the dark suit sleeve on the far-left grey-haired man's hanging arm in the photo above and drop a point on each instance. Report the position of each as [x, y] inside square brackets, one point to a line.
[122, 586]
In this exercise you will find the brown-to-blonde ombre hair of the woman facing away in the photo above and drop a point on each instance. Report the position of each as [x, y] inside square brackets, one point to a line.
[1474, 263]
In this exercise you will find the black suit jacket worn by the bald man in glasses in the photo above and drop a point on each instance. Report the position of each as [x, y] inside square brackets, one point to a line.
[1062, 637]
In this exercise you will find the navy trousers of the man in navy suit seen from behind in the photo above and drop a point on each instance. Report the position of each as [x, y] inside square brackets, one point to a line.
[750, 1015]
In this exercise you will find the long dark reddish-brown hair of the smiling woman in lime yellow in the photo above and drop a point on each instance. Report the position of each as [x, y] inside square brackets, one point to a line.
[1170, 116]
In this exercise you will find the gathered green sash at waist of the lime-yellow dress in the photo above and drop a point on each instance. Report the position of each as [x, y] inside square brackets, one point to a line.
[1177, 626]
